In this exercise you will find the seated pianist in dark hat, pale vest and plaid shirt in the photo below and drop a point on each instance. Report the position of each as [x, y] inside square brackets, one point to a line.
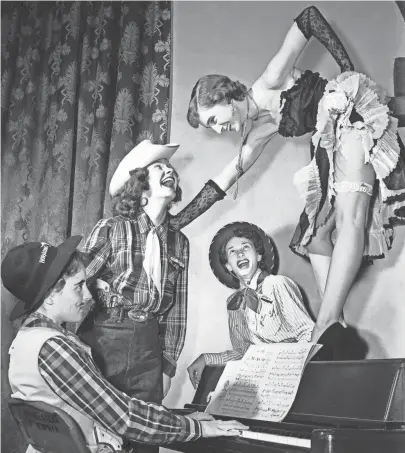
[51, 365]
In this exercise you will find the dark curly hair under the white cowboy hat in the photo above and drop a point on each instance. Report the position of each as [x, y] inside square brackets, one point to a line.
[128, 201]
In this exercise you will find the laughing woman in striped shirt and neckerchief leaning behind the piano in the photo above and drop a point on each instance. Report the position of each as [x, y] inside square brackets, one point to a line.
[265, 308]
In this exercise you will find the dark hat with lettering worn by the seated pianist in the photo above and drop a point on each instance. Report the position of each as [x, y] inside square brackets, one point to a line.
[31, 269]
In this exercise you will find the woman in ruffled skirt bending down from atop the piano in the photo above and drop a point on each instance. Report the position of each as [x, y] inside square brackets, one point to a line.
[354, 186]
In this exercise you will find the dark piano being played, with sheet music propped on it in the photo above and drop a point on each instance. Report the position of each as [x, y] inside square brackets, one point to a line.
[340, 407]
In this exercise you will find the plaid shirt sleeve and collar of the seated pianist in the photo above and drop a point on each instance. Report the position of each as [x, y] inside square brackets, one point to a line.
[65, 363]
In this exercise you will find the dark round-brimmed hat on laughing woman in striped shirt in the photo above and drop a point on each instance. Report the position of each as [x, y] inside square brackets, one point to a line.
[222, 237]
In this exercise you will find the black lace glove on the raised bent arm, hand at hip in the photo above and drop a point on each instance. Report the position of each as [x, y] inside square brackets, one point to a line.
[312, 23]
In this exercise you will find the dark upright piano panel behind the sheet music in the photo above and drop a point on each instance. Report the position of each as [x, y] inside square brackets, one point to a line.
[337, 393]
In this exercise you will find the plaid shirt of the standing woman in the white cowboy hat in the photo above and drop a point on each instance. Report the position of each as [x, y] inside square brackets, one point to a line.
[116, 247]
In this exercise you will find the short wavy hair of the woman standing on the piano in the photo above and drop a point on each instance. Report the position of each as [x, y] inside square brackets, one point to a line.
[211, 90]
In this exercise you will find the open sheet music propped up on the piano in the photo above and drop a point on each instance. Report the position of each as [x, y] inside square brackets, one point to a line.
[263, 385]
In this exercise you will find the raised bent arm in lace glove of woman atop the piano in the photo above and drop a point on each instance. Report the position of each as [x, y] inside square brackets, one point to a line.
[309, 23]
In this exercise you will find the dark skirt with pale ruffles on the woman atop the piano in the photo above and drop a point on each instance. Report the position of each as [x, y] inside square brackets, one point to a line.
[352, 103]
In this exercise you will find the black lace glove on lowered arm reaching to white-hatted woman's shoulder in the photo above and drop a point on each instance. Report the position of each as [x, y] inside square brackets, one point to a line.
[210, 194]
